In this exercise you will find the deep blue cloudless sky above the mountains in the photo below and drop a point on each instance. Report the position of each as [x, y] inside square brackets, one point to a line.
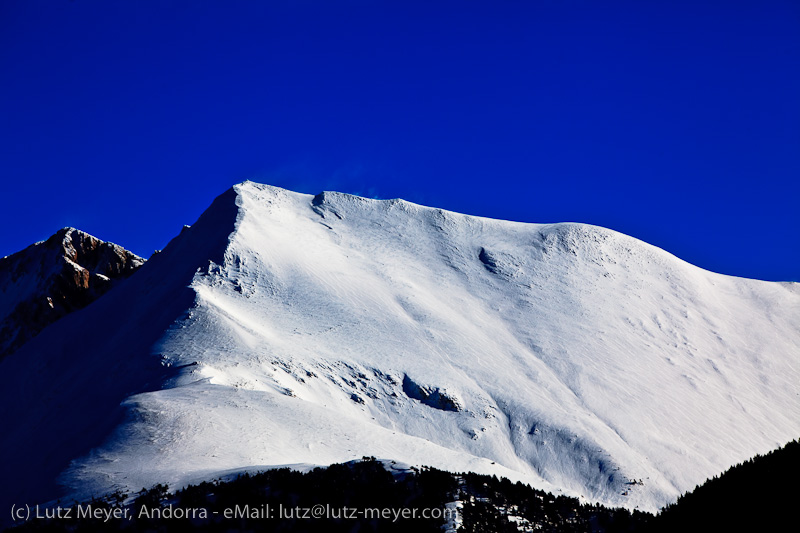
[675, 122]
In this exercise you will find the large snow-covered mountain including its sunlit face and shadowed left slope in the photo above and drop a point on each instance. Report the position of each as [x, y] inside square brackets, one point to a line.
[285, 328]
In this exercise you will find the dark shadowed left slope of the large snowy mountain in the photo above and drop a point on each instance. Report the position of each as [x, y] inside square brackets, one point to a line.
[61, 392]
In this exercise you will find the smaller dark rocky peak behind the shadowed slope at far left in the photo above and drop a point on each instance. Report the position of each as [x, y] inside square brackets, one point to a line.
[53, 278]
